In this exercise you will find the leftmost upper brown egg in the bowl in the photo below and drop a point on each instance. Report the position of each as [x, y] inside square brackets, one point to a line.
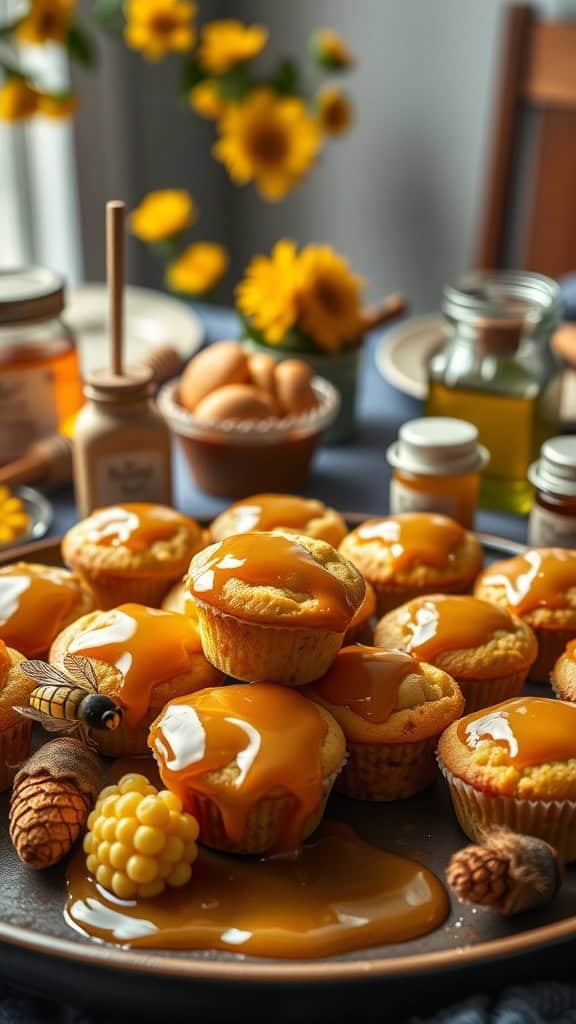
[223, 363]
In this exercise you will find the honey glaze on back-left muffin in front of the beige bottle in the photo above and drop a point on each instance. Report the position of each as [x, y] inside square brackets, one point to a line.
[135, 526]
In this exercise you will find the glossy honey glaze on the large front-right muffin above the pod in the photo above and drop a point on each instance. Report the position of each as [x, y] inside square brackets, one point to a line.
[531, 731]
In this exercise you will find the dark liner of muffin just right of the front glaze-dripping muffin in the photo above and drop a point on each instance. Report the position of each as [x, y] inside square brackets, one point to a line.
[388, 772]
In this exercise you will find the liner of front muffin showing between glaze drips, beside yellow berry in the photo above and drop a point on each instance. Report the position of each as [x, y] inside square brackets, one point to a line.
[264, 826]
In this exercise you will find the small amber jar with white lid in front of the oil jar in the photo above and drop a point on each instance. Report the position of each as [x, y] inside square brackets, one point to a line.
[437, 462]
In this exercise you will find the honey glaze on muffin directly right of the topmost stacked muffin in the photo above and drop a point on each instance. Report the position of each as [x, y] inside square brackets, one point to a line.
[434, 625]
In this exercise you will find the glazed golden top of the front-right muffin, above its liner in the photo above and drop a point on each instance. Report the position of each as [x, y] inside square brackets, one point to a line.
[524, 748]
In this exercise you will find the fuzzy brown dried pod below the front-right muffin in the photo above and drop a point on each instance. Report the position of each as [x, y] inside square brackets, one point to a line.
[509, 873]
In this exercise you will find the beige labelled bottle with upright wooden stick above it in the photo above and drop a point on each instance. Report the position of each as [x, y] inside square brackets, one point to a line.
[121, 444]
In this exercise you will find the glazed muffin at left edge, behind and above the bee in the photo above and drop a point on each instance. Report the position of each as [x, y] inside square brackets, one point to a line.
[38, 602]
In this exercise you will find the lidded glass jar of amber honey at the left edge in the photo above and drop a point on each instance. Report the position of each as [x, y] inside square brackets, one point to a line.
[40, 385]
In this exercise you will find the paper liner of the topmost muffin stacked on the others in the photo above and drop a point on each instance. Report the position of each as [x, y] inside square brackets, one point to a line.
[251, 652]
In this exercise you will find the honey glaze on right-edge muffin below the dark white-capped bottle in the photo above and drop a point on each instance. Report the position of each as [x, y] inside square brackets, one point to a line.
[539, 579]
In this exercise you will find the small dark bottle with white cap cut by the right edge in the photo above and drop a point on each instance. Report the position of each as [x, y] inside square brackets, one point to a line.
[553, 521]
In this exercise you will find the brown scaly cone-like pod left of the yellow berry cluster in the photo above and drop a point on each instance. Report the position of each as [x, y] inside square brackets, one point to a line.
[53, 796]
